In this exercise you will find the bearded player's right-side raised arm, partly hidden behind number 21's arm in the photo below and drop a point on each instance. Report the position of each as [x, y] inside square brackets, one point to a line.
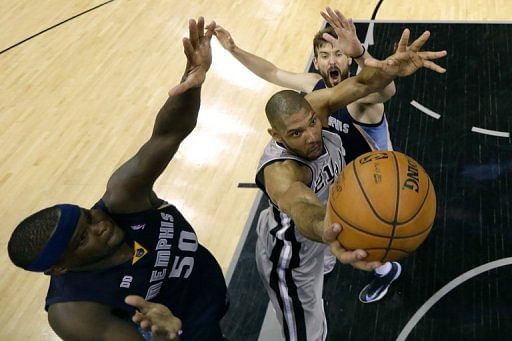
[349, 43]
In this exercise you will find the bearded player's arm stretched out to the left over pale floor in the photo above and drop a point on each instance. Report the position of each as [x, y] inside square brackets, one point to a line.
[264, 69]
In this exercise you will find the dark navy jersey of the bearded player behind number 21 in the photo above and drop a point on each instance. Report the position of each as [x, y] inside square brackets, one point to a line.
[358, 138]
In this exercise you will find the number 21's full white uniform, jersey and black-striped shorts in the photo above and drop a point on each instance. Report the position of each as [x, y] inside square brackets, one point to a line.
[290, 264]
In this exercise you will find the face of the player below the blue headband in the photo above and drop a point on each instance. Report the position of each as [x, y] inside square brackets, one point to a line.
[95, 241]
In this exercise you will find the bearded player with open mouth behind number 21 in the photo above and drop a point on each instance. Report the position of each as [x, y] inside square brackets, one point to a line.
[362, 124]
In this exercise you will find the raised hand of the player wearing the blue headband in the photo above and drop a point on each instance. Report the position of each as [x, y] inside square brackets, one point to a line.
[199, 55]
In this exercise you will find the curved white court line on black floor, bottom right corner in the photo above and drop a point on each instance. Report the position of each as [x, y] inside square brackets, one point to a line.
[446, 289]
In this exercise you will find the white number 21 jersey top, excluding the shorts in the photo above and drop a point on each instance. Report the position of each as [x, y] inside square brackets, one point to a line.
[324, 170]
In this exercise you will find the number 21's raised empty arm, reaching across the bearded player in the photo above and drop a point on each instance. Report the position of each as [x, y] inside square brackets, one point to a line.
[376, 75]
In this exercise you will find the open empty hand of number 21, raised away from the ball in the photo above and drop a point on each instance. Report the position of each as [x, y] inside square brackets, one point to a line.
[408, 58]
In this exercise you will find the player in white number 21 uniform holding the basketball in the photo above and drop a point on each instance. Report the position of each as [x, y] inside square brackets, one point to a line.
[295, 172]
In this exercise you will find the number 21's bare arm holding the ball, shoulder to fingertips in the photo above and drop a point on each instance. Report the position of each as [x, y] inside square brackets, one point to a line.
[286, 184]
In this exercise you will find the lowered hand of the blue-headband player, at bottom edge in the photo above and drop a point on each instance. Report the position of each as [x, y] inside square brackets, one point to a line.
[155, 317]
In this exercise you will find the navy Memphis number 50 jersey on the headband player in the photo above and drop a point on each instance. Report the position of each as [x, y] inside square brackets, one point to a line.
[169, 266]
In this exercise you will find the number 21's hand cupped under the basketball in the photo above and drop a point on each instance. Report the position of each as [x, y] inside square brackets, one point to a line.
[354, 258]
